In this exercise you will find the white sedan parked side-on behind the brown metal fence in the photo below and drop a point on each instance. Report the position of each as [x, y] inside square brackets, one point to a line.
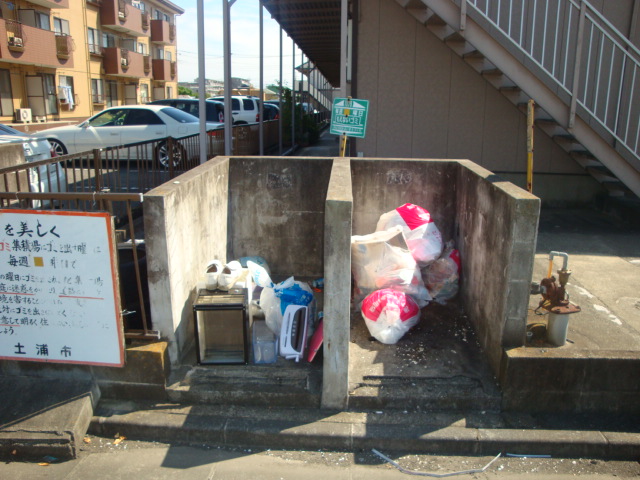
[124, 125]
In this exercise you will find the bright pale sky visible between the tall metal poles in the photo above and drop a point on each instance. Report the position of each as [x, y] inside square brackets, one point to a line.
[245, 43]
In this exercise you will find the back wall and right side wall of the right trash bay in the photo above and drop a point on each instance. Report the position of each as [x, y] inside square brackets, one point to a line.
[492, 222]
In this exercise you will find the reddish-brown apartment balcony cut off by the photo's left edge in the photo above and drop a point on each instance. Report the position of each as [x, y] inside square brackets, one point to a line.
[33, 46]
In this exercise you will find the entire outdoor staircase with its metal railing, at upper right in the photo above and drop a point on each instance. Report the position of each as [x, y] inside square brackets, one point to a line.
[582, 74]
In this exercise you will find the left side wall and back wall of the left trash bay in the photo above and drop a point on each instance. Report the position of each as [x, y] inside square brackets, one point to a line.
[227, 209]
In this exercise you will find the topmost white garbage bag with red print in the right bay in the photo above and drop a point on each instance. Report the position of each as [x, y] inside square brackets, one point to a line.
[418, 229]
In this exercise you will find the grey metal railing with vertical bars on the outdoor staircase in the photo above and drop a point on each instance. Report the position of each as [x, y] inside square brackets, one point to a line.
[594, 64]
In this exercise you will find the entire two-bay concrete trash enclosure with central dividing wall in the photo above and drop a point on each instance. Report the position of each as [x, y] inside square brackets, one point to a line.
[299, 213]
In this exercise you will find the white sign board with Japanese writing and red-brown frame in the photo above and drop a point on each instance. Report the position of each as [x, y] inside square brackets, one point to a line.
[58, 292]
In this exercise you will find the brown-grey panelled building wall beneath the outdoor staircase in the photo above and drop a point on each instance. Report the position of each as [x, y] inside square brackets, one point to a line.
[426, 102]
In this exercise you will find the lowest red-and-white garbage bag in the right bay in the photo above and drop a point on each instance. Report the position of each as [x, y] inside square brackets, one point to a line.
[389, 314]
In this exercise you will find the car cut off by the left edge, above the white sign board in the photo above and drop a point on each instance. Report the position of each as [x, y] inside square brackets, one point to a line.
[46, 178]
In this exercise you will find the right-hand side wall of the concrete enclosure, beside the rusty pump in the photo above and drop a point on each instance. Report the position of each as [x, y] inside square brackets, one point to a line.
[496, 226]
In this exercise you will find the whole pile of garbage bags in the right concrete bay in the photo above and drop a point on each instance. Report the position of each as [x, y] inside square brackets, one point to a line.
[401, 267]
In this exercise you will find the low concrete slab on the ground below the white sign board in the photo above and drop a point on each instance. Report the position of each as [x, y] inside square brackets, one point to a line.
[44, 416]
